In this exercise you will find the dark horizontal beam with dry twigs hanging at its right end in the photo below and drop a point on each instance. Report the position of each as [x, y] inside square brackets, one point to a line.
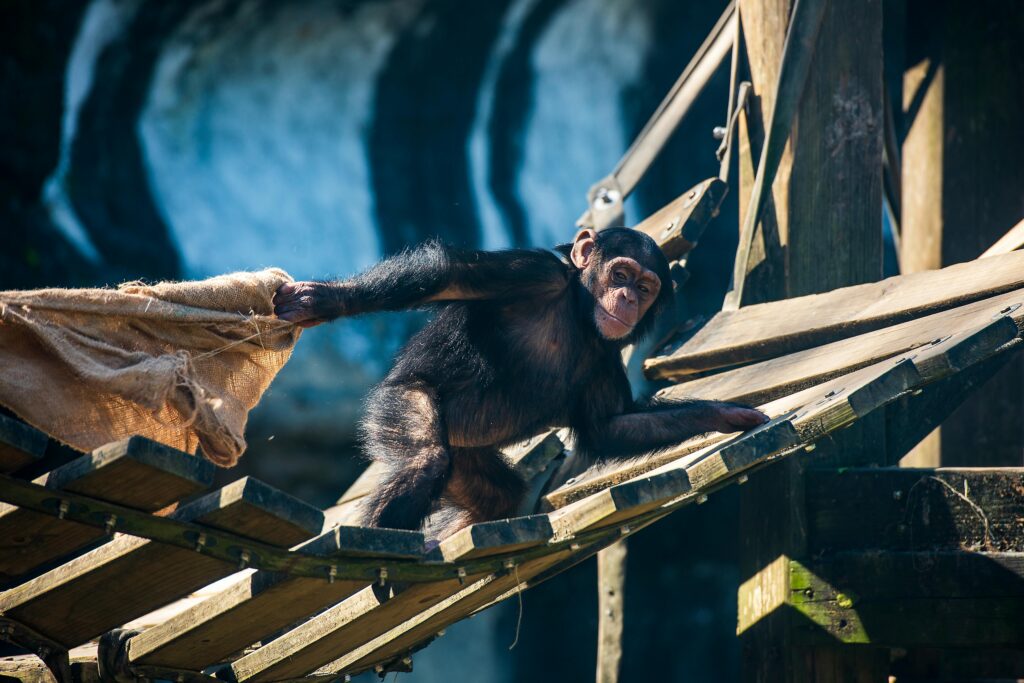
[905, 509]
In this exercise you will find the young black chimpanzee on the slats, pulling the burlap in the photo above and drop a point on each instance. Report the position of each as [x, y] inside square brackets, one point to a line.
[523, 341]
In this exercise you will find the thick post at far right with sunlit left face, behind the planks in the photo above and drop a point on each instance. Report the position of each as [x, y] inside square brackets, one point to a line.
[963, 180]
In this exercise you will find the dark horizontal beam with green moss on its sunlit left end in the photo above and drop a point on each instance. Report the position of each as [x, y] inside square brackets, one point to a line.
[944, 600]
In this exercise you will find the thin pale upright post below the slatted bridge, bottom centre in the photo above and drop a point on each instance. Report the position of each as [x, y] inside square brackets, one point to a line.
[611, 586]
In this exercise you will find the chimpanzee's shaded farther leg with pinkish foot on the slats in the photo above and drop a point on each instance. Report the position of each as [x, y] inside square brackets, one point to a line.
[483, 488]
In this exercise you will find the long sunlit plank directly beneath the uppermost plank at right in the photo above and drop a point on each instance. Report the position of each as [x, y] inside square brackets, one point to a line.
[769, 380]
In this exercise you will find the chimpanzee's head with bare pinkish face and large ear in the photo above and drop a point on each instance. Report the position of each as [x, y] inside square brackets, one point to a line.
[628, 277]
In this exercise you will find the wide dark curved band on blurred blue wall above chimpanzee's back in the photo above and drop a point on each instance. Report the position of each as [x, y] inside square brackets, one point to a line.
[424, 109]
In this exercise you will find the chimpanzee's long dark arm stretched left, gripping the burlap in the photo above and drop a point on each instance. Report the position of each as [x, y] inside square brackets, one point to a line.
[429, 273]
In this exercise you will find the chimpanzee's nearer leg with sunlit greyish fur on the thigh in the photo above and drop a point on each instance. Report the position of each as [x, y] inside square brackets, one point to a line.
[403, 431]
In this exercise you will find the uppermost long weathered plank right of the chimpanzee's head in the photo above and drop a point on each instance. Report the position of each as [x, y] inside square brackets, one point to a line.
[770, 330]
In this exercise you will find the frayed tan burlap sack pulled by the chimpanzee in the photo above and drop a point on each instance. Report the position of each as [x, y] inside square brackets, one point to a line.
[180, 363]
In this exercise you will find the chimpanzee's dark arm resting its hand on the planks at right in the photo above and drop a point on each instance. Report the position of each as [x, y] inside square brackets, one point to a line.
[664, 424]
